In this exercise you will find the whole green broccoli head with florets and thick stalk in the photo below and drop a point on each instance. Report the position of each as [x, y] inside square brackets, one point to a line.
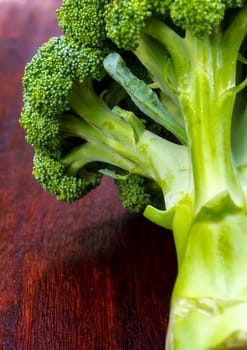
[153, 94]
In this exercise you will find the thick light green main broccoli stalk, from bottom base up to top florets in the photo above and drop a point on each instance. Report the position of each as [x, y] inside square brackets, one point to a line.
[210, 228]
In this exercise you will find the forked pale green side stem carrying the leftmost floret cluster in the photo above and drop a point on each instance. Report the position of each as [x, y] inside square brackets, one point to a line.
[120, 139]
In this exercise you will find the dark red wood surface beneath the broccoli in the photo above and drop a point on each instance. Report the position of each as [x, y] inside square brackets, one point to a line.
[89, 275]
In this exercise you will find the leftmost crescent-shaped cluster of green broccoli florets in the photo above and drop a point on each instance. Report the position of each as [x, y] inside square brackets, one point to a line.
[48, 83]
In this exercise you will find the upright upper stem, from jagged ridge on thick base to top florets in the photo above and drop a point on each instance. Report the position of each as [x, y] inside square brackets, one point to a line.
[203, 74]
